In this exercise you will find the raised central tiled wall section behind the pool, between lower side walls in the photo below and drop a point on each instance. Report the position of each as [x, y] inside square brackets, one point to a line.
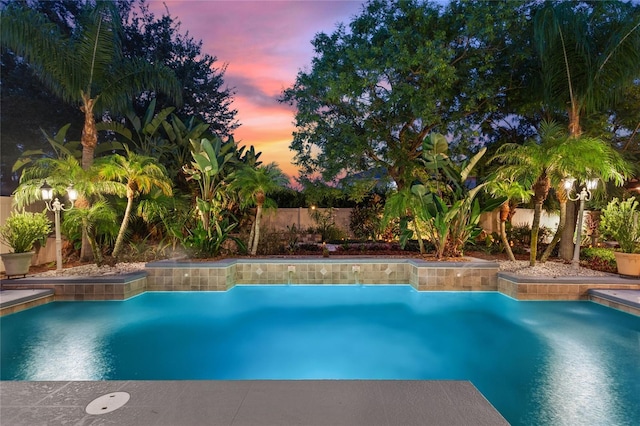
[425, 276]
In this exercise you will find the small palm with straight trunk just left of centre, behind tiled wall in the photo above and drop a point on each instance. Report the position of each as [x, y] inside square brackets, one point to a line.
[253, 185]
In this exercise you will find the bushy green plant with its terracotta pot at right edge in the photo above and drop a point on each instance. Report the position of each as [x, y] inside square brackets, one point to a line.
[620, 220]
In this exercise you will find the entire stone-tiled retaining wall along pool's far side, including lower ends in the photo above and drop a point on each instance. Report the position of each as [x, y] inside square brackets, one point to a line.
[475, 275]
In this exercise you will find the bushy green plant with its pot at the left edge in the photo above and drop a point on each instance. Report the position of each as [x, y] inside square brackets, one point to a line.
[20, 232]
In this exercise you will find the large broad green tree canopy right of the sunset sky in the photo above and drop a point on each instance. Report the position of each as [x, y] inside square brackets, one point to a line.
[399, 71]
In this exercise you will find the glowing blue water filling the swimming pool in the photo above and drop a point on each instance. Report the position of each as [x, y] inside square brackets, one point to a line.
[536, 362]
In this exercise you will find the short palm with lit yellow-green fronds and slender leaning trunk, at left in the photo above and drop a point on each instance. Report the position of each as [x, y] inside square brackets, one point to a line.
[140, 174]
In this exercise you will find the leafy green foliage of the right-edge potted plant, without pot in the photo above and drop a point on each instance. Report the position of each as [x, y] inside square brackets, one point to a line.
[620, 220]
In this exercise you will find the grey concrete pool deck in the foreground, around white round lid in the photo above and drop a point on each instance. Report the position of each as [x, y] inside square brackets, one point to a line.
[271, 402]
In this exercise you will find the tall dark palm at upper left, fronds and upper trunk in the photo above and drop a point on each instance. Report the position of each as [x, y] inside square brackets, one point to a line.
[86, 67]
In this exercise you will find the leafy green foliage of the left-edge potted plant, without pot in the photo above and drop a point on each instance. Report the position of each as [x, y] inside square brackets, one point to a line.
[24, 229]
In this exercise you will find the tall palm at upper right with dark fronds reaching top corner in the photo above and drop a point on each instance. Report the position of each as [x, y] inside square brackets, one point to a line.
[590, 57]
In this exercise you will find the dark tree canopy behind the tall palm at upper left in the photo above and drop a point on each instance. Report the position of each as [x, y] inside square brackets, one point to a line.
[30, 104]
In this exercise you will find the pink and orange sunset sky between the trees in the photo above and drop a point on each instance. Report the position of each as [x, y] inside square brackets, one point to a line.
[265, 43]
